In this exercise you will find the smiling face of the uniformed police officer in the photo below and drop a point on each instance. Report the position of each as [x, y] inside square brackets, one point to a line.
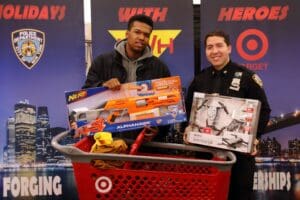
[217, 51]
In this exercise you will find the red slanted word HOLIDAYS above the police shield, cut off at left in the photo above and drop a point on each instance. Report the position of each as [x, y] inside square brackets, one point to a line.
[32, 12]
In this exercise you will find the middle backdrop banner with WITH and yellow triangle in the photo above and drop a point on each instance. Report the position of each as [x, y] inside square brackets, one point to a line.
[171, 40]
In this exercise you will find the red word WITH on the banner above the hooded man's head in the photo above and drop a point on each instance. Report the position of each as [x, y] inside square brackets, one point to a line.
[156, 13]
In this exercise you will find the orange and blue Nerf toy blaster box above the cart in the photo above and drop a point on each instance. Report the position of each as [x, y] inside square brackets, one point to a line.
[137, 104]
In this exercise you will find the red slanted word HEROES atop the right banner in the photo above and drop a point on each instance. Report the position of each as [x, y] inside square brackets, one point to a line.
[273, 13]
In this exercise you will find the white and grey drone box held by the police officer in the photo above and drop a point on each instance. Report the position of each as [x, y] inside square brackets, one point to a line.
[223, 122]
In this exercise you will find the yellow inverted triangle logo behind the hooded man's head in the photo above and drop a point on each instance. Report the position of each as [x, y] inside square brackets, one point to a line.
[160, 40]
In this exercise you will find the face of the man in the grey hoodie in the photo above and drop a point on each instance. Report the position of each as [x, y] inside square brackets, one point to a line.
[138, 36]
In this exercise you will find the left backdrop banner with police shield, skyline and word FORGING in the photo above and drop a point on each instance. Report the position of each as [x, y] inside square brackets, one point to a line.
[42, 56]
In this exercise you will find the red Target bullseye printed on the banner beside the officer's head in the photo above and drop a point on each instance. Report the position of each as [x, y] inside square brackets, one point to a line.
[252, 44]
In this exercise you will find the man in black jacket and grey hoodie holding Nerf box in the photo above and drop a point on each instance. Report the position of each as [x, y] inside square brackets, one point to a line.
[131, 60]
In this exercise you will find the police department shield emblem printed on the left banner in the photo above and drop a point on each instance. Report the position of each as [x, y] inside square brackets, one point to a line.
[28, 45]
